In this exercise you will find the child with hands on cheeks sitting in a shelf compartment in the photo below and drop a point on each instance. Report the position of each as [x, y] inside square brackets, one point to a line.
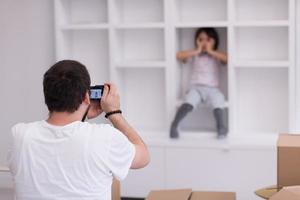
[205, 61]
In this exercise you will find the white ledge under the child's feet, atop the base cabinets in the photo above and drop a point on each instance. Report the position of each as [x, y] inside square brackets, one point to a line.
[197, 139]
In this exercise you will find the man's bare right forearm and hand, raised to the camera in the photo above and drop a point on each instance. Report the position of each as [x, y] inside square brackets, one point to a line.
[110, 101]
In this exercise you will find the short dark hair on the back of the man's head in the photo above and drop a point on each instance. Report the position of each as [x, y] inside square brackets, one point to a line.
[65, 85]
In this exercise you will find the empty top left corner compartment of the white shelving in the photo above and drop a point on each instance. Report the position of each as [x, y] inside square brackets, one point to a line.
[80, 12]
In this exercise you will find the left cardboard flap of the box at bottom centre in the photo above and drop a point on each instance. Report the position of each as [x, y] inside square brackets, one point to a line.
[182, 194]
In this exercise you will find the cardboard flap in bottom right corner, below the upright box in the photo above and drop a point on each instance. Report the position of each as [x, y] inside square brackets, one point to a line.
[287, 193]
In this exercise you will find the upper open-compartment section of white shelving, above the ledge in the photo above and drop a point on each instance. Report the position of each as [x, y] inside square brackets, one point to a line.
[134, 42]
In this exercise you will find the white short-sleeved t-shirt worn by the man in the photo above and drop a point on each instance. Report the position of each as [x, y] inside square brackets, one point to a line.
[75, 161]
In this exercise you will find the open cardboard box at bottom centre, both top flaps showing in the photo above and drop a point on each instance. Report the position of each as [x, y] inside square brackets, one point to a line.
[188, 194]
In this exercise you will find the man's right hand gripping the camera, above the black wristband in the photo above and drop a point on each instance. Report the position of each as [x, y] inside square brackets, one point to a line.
[110, 100]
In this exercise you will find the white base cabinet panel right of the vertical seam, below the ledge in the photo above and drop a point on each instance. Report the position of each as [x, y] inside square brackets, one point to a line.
[239, 170]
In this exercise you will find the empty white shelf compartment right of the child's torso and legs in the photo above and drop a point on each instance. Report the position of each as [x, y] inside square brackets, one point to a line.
[262, 99]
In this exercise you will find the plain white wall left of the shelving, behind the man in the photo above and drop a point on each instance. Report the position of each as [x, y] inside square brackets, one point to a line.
[26, 51]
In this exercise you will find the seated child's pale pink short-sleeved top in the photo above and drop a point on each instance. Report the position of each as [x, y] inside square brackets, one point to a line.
[205, 70]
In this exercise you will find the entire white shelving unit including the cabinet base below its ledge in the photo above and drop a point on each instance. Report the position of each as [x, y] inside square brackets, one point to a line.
[134, 43]
